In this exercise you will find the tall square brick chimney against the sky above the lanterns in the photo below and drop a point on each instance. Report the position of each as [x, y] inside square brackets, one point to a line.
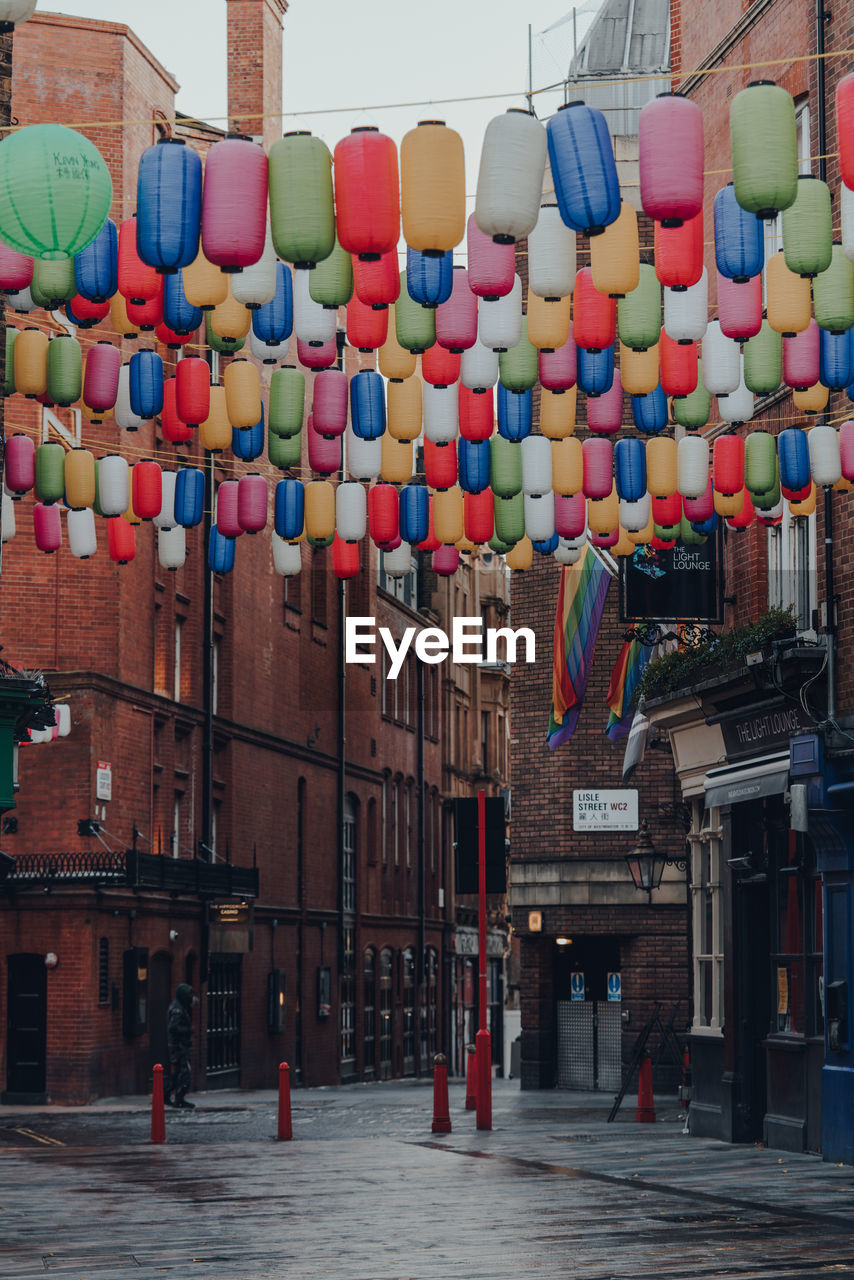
[255, 68]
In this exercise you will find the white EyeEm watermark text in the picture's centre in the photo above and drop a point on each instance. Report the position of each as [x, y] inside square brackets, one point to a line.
[432, 644]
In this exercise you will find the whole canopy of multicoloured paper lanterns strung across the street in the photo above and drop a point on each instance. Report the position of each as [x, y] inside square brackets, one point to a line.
[257, 249]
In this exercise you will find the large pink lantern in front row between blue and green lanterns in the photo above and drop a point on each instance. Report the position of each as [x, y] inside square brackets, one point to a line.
[234, 213]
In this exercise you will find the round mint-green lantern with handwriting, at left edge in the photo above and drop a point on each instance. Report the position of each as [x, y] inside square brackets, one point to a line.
[56, 191]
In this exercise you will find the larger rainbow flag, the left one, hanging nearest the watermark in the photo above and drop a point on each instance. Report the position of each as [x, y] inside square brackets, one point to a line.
[581, 604]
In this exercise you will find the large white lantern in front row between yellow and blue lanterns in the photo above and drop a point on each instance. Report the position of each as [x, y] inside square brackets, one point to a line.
[510, 180]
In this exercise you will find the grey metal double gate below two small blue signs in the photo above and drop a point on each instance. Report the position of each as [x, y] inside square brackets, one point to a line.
[590, 1045]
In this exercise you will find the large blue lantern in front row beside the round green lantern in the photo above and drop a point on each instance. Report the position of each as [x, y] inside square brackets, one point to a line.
[170, 205]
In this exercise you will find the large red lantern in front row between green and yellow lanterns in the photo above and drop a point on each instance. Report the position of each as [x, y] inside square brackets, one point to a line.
[368, 193]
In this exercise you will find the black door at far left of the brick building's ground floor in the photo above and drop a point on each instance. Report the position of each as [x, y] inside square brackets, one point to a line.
[28, 1028]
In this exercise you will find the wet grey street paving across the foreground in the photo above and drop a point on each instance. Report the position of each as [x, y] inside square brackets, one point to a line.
[368, 1192]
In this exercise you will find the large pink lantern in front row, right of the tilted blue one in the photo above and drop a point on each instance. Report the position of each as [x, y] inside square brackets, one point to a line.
[670, 150]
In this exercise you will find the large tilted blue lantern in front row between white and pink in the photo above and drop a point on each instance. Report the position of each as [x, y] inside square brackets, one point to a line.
[583, 168]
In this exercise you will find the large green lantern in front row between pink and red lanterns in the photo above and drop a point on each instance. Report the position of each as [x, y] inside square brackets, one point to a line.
[303, 220]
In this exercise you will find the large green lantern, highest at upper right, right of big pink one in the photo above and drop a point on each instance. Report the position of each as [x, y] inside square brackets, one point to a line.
[764, 138]
